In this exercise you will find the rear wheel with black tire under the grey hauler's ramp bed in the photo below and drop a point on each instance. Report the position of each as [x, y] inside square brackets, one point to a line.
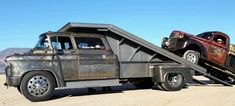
[173, 82]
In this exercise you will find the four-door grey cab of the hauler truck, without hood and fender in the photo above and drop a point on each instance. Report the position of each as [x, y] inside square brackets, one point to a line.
[82, 56]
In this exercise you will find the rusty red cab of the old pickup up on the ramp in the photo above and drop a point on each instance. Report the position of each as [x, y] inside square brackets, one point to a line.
[217, 46]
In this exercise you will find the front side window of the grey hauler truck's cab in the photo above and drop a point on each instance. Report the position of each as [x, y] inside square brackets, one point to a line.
[61, 43]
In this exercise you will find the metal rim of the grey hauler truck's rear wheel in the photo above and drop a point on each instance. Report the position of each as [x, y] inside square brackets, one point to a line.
[174, 79]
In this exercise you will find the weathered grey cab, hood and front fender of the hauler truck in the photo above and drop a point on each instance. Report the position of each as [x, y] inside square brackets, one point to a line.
[68, 62]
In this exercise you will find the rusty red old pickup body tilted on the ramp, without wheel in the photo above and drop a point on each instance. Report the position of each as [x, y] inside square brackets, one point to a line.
[213, 47]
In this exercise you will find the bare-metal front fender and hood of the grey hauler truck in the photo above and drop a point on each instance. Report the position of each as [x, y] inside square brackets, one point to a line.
[19, 68]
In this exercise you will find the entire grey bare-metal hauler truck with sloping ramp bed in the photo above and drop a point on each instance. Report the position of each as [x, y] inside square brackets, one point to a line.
[93, 55]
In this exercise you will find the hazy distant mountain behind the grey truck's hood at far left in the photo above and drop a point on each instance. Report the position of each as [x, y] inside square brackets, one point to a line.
[7, 52]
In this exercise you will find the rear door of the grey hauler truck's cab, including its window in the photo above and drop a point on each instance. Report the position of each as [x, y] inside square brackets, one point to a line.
[96, 60]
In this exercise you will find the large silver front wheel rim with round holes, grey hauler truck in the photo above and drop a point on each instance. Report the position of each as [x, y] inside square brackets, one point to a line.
[38, 86]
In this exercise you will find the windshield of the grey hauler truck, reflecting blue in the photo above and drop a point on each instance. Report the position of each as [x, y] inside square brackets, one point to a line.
[42, 43]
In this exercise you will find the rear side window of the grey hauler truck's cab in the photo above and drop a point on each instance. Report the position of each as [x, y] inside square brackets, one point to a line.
[89, 43]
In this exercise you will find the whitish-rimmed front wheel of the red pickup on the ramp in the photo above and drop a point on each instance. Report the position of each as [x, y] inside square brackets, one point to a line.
[191, 56]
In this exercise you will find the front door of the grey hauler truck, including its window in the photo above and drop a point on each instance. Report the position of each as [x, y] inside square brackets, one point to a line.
[65, 56]
